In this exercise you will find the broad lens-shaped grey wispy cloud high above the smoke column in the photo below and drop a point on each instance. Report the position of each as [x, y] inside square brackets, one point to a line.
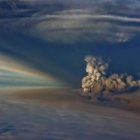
[69, 28]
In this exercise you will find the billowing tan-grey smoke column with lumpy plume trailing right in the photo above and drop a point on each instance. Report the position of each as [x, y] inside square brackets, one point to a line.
[97, 82]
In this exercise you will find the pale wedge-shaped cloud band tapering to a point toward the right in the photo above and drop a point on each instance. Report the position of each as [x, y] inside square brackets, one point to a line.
[17, 74]
